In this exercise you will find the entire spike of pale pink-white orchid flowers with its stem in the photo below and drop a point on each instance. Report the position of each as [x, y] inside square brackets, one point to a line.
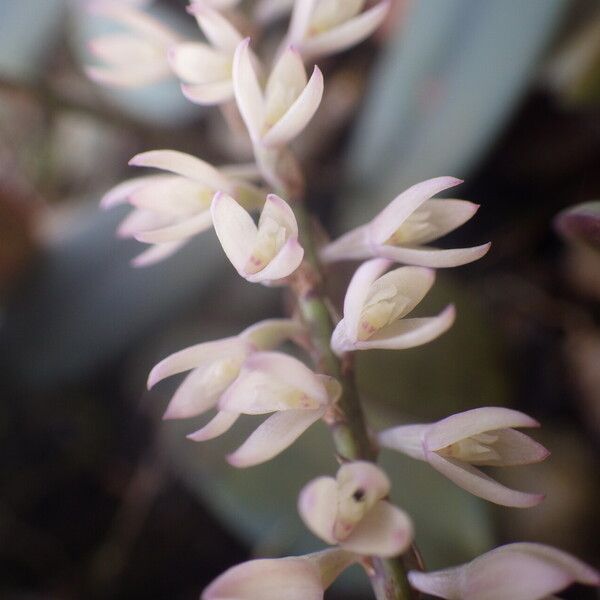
[249, 374]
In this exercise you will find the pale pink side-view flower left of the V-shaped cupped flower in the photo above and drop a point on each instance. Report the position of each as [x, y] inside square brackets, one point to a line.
[169, 209]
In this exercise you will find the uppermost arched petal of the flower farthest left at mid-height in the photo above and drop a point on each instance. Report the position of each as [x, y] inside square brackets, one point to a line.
[183, 164]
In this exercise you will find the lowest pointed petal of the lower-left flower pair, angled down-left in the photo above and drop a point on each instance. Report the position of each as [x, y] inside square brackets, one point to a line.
[273, 436]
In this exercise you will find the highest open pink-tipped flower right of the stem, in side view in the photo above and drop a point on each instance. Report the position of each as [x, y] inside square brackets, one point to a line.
[411, 220]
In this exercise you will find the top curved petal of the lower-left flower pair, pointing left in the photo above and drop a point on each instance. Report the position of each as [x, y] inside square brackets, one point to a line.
[194, 356]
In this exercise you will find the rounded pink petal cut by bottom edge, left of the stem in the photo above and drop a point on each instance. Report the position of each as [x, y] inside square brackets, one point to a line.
[268, 579]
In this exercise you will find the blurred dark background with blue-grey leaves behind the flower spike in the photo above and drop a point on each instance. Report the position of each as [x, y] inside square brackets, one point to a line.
[100, 499]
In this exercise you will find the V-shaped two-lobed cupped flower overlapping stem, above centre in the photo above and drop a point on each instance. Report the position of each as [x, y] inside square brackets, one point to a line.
[265, 253]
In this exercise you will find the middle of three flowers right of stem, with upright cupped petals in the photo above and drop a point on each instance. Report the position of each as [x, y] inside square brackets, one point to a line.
[375, 307]
